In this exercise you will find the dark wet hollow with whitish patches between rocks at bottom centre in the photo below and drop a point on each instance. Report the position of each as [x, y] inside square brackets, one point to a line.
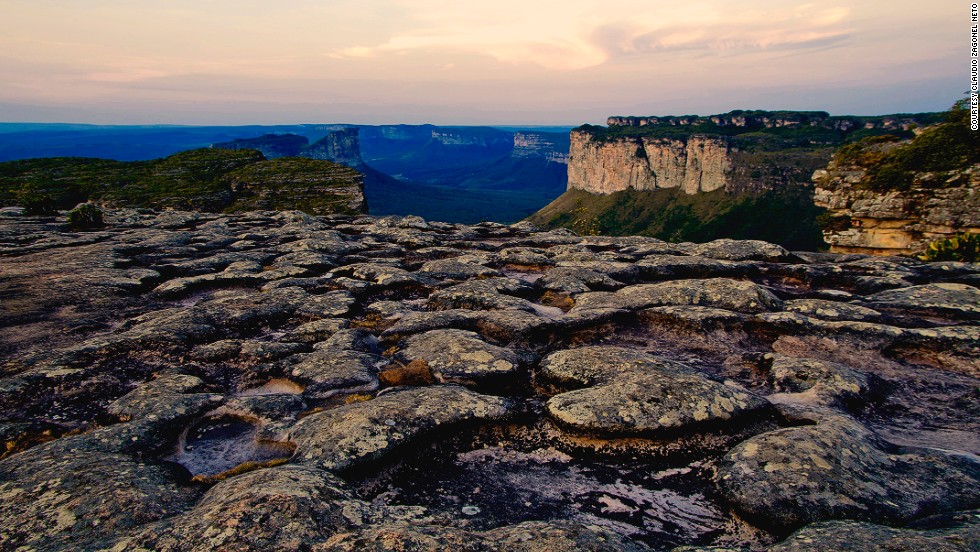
[499, 486]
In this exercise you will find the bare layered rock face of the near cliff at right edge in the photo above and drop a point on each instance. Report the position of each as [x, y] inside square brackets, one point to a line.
[896, 222]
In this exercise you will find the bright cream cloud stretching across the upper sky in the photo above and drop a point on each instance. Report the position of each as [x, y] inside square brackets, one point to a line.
[579, 40]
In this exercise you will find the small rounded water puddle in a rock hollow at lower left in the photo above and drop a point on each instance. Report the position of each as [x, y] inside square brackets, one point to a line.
[218, 444]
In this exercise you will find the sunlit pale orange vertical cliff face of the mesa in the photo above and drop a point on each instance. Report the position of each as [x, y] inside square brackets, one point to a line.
[694, 164]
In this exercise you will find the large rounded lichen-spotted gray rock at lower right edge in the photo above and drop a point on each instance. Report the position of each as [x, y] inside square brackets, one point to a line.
[838, 469]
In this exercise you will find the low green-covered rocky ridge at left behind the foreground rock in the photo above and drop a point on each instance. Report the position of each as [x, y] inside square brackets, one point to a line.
[203, 179]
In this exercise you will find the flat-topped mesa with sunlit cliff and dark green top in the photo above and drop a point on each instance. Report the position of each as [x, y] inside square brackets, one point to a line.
[739, 151]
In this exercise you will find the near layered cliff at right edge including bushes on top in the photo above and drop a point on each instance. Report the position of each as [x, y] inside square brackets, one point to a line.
[888, 196]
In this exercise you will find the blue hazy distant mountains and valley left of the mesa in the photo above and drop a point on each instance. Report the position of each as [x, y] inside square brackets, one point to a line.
[456, 174]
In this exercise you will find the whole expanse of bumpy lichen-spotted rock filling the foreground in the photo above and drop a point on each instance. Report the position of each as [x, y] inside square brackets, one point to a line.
[273, 380]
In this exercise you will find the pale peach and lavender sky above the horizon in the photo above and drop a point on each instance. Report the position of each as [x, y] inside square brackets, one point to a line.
[548, 62]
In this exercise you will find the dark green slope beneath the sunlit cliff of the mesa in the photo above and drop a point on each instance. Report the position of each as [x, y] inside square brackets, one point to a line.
[787, 216]
